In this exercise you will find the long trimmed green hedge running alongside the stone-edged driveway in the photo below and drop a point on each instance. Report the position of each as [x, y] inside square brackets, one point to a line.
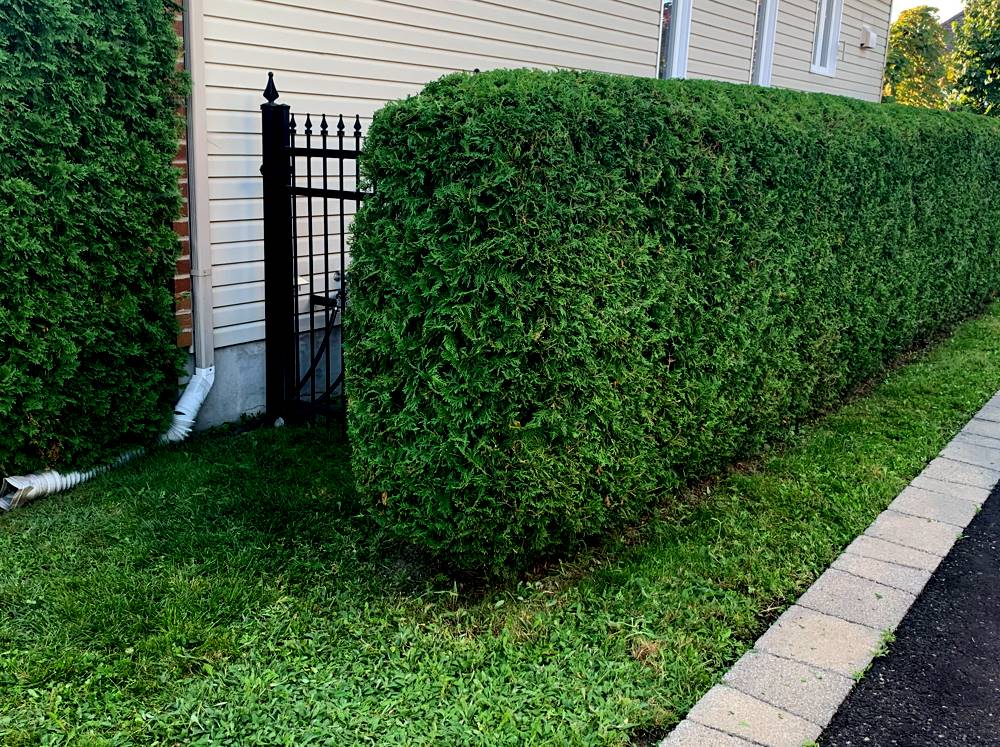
[573, 292]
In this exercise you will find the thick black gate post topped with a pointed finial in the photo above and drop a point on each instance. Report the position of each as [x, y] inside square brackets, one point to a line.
[279, 274]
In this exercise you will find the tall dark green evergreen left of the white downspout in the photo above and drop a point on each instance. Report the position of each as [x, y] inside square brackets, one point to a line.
[88, 128]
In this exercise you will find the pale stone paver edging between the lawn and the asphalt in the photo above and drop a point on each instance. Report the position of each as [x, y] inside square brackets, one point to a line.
[784, 691]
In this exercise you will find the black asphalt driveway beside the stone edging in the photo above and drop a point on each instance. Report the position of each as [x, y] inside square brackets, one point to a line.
[940, 683]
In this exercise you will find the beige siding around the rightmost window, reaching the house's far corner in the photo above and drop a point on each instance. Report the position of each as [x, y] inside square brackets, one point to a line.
[859, 71]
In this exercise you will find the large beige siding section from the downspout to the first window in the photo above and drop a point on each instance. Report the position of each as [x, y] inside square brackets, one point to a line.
[351, 58]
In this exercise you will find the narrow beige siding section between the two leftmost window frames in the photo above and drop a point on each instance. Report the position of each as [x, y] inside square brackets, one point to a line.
[721, 42]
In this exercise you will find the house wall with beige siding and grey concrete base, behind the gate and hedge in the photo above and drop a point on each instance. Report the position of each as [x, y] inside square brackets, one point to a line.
[353, 57]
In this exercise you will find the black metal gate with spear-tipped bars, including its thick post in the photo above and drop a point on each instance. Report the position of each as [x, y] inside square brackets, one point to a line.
[310, 196]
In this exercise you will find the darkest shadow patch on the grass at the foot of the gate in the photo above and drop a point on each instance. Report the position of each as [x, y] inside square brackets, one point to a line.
[283, 496]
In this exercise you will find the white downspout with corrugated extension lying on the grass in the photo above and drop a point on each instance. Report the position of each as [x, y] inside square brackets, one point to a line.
[19, 489]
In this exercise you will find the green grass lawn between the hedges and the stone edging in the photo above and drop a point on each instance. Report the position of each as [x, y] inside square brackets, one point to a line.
[231, 591]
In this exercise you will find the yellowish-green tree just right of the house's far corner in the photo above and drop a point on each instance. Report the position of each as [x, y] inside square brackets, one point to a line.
[915, 64]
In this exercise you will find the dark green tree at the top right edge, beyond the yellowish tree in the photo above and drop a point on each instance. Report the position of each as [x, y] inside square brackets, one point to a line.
[976, 58]
